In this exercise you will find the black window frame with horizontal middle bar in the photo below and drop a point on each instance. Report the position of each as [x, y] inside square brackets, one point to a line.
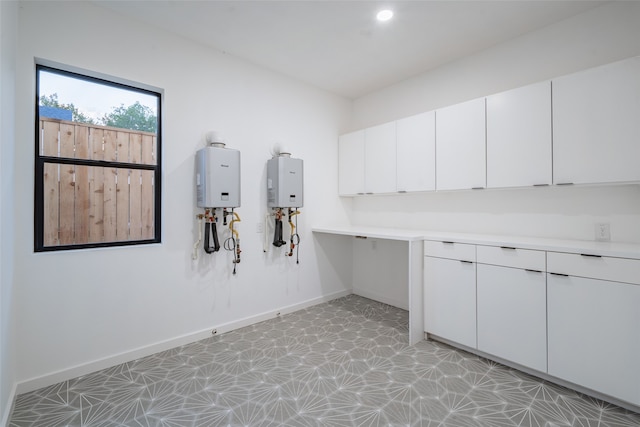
[40, 161]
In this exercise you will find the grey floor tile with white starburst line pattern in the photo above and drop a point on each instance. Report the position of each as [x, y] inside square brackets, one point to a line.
[342, 363]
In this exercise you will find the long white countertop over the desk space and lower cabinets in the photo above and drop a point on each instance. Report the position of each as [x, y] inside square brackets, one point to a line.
[612, 249]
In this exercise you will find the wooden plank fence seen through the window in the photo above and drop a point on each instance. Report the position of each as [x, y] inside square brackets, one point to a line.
[93, 204]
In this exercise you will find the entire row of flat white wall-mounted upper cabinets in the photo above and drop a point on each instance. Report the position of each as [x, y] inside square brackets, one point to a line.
[583, 128]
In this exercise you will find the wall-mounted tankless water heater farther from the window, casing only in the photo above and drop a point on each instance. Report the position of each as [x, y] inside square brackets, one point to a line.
[284, 182]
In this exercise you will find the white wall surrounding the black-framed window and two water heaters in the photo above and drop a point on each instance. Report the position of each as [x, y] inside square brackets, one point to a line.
[78, 307]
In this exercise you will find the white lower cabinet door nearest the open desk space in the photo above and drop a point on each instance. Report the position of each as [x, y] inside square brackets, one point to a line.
[450, 300]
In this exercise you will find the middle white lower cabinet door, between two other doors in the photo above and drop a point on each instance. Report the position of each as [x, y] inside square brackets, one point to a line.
[512, 315]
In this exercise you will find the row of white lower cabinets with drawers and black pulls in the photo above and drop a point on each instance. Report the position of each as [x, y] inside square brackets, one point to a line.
[573, 316]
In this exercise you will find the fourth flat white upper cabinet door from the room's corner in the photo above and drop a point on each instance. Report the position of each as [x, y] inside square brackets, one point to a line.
[460, 146]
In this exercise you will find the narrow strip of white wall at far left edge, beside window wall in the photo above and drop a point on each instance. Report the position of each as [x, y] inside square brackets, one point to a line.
[8, 40]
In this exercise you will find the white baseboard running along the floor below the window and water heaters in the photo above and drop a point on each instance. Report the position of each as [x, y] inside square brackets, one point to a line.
[97, 365]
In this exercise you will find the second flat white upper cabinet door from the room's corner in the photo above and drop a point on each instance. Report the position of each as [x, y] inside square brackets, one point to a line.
[380, 159]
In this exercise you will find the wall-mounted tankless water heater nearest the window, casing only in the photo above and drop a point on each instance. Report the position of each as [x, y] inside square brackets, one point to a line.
[218, 177]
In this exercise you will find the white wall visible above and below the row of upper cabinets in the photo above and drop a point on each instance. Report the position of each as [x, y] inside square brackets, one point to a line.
[601, 35]
